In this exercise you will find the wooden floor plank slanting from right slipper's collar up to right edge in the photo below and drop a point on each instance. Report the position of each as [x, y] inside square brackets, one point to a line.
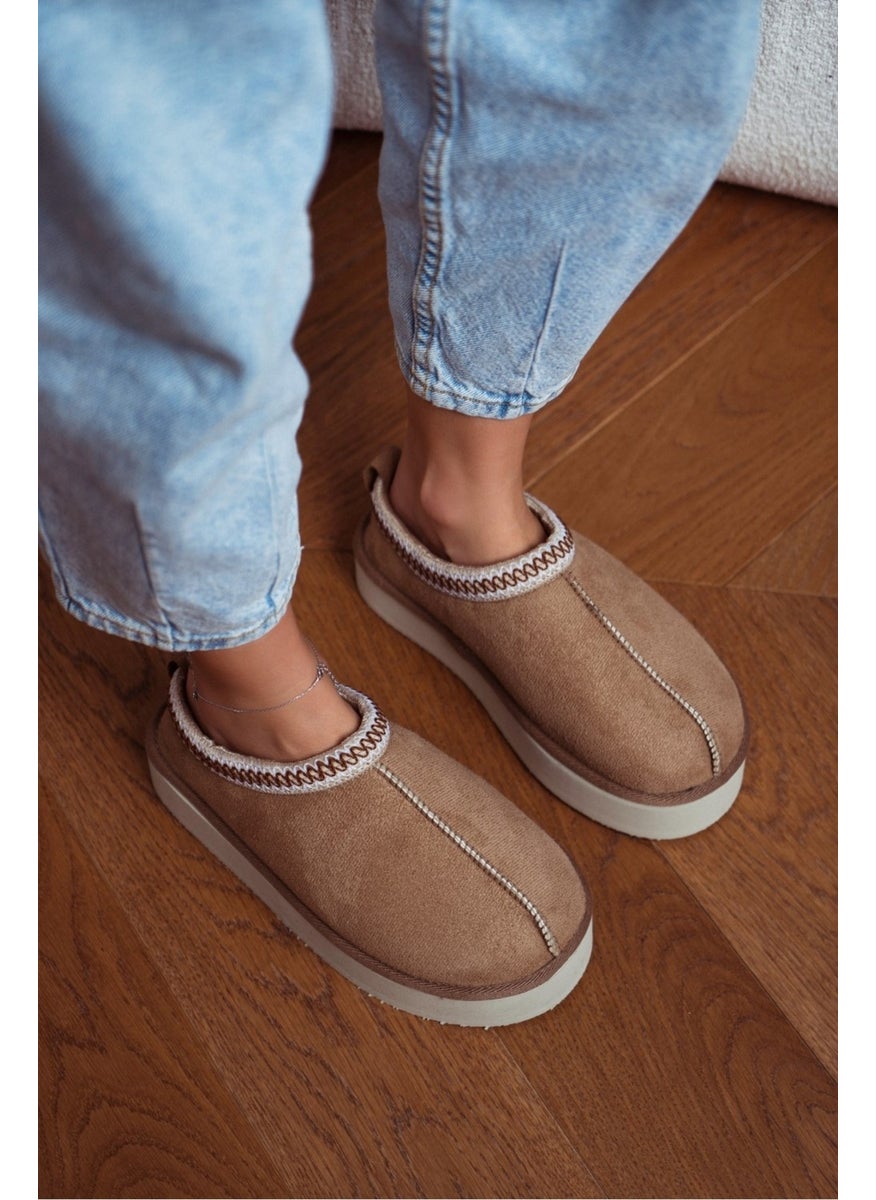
[710, 466]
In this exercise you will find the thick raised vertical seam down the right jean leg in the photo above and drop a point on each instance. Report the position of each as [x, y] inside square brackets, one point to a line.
[433, 170]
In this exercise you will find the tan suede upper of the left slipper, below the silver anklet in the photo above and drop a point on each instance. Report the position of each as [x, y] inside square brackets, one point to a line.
[386, 879]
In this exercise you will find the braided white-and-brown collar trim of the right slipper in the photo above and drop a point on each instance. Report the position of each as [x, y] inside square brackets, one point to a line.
[499, 581]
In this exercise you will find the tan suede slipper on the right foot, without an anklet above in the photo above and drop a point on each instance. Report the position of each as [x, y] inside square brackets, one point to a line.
[608, 694]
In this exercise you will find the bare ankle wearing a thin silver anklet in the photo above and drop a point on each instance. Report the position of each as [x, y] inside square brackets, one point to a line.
[263, 675]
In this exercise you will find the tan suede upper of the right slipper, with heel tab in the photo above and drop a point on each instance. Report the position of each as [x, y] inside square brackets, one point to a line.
[571, 668]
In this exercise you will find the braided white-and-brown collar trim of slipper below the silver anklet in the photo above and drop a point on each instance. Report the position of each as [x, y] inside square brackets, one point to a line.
[362, 751]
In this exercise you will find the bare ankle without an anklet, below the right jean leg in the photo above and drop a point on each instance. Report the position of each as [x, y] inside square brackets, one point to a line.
[459, 487]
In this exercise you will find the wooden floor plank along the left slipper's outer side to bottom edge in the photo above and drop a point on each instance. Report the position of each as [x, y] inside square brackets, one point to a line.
[347, 1097]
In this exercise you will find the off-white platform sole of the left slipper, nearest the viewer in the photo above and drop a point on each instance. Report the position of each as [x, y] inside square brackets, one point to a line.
[482, 1013]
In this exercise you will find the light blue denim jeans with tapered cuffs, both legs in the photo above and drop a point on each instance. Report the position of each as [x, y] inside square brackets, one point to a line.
[539, 157]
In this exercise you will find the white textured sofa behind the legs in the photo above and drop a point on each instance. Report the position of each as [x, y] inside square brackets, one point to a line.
[788, 142]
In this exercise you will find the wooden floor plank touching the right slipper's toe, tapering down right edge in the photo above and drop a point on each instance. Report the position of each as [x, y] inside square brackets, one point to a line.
[769, 874]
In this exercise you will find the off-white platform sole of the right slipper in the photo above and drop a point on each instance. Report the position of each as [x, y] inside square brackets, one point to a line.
[615, 812]
